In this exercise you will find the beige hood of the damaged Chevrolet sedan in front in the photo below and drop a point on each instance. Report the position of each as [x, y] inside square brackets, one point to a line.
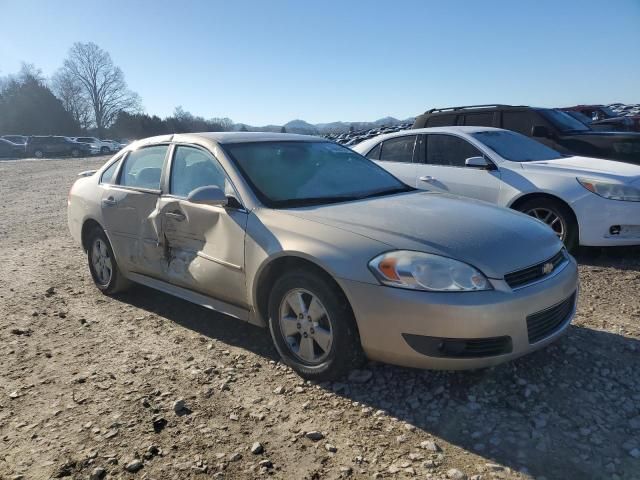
[494, 239]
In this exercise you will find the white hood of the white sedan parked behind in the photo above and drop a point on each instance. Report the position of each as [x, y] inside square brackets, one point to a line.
[587, 166]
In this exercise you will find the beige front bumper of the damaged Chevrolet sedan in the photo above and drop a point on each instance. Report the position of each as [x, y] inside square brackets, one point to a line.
[389, 319]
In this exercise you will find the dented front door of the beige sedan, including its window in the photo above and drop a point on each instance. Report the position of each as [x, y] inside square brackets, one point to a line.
[203, 244]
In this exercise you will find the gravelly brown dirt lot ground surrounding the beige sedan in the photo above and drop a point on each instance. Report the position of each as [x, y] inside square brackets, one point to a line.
[89, 384]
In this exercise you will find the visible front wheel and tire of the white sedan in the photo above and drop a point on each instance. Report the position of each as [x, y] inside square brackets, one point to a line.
[566, 225]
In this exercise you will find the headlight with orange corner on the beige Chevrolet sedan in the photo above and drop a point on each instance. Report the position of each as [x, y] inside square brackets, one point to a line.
[424, 271]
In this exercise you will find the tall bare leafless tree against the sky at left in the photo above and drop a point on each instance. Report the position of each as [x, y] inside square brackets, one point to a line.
[102, 83]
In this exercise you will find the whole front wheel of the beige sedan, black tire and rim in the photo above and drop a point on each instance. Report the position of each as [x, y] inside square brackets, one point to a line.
[312, 326]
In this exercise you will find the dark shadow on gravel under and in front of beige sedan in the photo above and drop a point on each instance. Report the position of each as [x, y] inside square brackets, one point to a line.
[571, 410]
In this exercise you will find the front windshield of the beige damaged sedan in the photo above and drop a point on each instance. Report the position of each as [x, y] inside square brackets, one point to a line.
[293, 174]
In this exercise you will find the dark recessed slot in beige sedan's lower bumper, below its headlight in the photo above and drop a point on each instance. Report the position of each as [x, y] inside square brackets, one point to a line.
[459, 347]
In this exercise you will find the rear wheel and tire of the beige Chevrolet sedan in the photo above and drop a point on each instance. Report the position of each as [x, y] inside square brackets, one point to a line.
[103, 266]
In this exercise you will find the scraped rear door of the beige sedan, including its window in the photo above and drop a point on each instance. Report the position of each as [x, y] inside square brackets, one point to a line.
[129, 209]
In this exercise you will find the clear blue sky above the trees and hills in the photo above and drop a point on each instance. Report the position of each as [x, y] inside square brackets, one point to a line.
[261, 62]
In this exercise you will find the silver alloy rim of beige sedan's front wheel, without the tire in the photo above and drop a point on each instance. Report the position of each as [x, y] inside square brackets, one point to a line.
[306, 326]
